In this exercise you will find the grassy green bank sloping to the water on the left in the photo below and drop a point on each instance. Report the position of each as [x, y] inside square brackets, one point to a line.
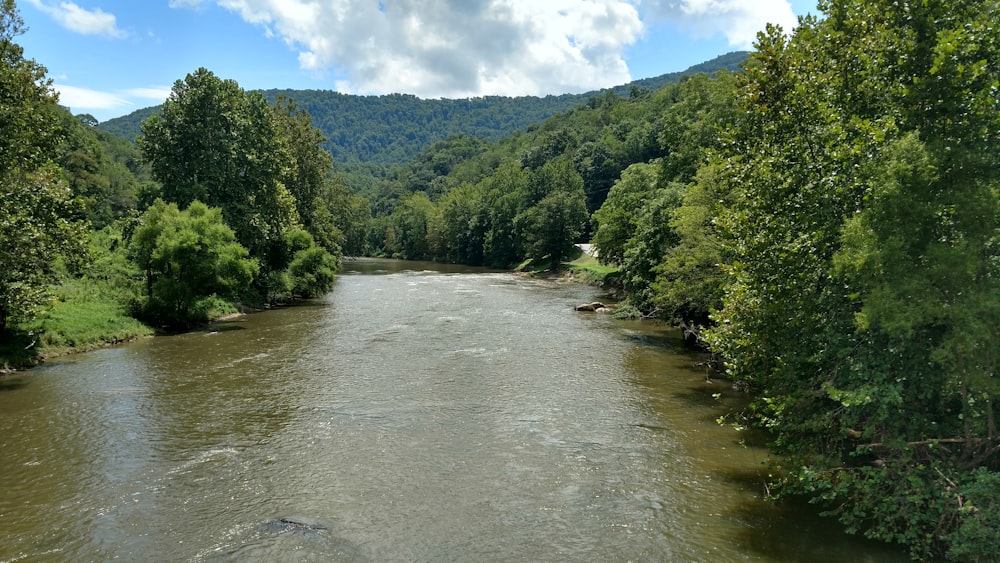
[84, 315]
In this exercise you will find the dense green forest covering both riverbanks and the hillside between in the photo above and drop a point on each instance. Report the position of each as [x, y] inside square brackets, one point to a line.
[825, 221]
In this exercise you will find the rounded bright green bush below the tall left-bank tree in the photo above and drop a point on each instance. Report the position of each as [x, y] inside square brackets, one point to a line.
[188, 257]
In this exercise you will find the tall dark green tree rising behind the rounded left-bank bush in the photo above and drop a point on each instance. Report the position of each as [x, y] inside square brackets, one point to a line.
[216, 143]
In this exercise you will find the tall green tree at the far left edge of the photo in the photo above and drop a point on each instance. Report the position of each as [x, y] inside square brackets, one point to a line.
[38, 215]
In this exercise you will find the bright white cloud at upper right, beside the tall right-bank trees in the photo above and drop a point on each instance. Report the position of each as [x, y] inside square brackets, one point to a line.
[738, 20]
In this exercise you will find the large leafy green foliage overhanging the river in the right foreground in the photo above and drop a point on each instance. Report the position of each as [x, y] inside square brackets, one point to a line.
[861, 234]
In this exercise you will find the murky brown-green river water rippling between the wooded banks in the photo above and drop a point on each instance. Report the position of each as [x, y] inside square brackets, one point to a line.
[411, 415]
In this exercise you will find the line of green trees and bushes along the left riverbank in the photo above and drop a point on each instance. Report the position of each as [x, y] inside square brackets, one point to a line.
[227, 200]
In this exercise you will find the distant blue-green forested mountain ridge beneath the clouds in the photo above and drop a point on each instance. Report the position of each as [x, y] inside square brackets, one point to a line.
[393, 129]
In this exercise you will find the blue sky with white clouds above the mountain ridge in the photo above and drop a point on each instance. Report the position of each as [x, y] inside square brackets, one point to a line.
[111, 57]
